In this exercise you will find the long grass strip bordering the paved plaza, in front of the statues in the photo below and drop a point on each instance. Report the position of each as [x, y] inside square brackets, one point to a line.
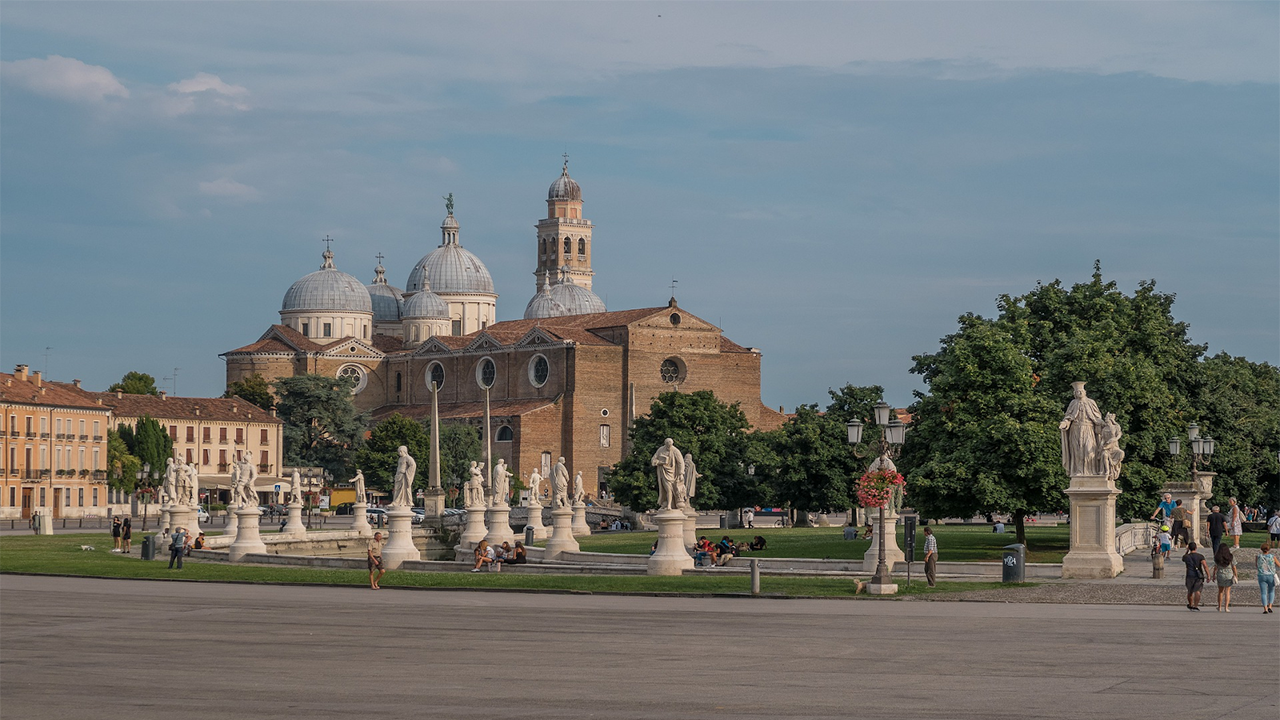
[63, 555]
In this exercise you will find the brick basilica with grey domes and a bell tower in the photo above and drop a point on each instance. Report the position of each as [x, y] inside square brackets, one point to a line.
[565, 381]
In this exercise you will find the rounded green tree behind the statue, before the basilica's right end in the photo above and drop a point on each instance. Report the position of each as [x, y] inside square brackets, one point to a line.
[714, 432]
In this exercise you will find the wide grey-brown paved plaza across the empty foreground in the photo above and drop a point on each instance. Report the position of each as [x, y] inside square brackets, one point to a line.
[141, 650]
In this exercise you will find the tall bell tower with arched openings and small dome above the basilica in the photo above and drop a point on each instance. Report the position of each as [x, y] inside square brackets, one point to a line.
[565, 236]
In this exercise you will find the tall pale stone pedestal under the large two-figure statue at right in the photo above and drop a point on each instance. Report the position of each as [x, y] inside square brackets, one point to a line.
[1094, 530]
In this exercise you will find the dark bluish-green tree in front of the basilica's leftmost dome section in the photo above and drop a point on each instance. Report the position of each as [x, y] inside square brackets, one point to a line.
[322, 425]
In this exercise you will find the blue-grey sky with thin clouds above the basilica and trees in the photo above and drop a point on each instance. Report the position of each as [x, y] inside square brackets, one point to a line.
[833, 183]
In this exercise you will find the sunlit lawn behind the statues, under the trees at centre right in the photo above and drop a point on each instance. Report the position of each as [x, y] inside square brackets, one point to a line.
[957, 544]
